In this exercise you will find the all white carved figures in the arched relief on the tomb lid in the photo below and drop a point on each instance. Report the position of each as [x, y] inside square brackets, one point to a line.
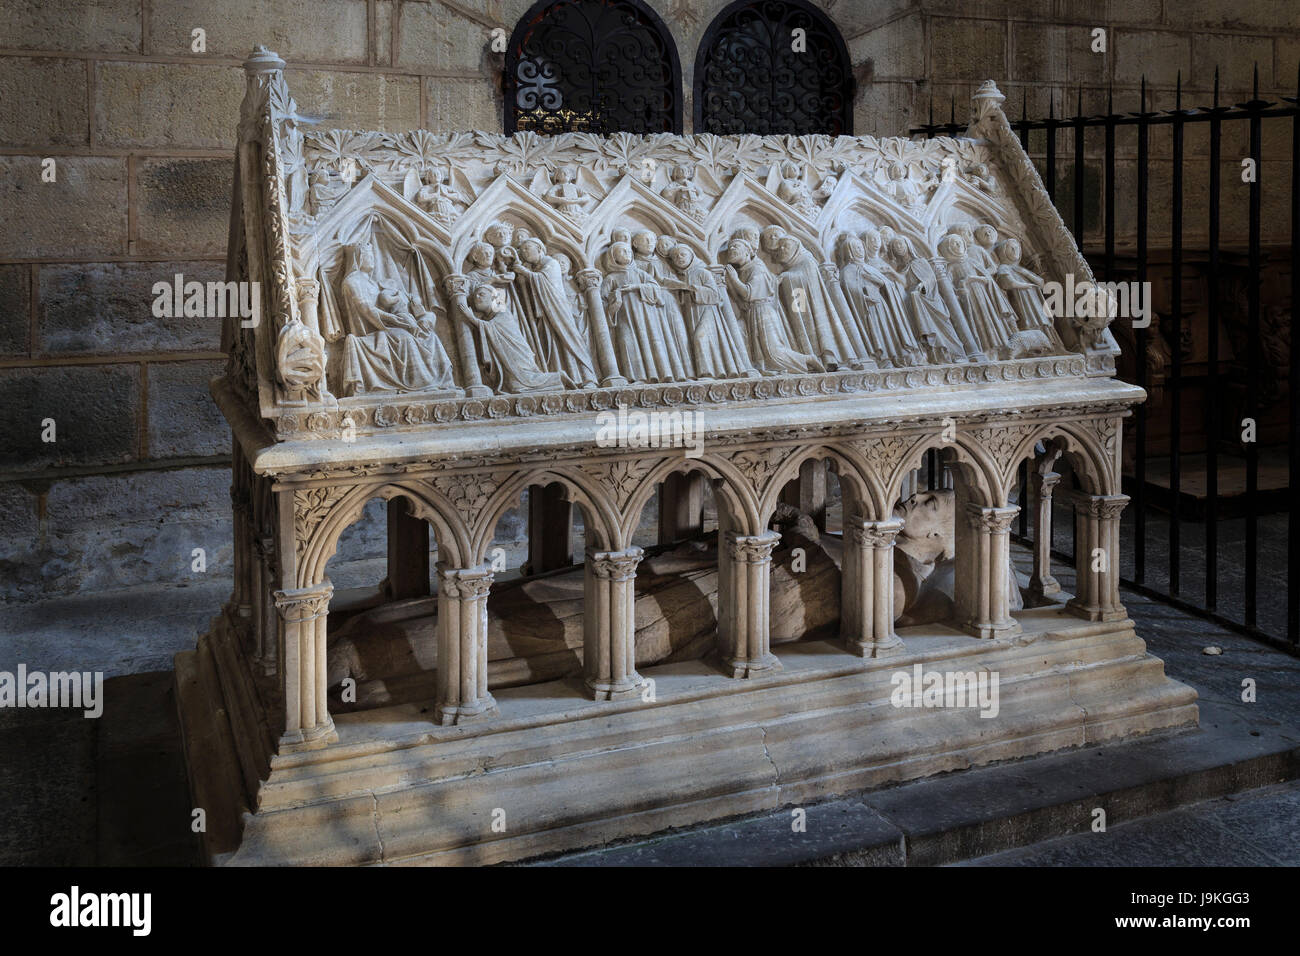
[655, 312]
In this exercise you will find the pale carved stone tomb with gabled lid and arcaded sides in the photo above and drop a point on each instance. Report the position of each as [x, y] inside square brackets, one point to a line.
[450, 319]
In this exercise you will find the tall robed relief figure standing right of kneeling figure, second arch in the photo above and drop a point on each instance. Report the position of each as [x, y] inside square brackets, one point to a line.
[541, 285]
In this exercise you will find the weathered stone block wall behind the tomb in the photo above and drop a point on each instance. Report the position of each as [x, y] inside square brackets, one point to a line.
[141, 127]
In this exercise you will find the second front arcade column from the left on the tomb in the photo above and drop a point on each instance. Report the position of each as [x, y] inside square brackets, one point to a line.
[463, 646]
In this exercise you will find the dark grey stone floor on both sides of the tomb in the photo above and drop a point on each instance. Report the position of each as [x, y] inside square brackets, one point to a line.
[114, 793]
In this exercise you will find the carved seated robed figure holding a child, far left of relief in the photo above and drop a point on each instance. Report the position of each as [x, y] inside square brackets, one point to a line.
[391, 344]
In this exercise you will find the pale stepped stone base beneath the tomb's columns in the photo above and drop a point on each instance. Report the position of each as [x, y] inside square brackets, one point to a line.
[557, 772]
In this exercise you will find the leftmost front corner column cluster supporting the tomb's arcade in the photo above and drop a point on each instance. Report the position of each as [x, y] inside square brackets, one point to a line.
[304, 616]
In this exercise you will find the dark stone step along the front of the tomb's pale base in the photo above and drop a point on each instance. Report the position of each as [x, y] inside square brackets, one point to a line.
[986, 811]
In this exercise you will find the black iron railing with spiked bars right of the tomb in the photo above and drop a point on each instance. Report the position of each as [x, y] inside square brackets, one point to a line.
[1155, 520]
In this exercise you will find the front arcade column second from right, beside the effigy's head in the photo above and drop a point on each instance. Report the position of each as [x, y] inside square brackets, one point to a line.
[983, 570]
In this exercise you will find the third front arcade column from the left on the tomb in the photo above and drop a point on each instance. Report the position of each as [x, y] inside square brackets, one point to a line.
[610, 625]
